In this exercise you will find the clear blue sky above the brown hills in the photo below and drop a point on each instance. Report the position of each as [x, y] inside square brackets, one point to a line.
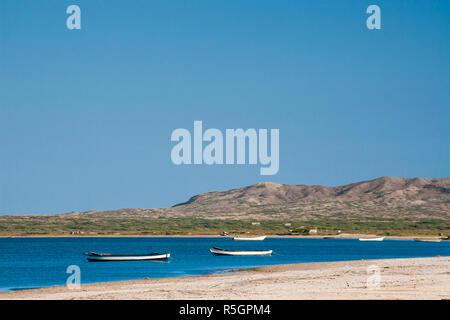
[86, 115]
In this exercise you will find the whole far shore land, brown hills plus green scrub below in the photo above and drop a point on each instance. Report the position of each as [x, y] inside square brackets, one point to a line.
[385, 204]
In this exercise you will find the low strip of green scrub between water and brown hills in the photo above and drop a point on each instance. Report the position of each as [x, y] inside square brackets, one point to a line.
[66, 225]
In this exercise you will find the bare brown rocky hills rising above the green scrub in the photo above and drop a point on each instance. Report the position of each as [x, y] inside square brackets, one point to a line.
[383, 197]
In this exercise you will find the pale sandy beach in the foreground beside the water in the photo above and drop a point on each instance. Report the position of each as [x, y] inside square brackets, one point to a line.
[412, 278]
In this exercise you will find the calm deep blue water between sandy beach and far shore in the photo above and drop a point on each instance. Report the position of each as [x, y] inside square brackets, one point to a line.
[42, 262]
